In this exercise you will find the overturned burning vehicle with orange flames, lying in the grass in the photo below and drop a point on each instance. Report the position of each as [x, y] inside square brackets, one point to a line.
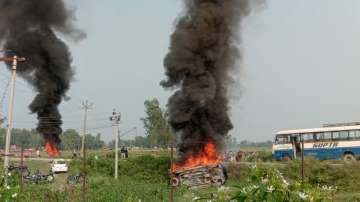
[203, 169]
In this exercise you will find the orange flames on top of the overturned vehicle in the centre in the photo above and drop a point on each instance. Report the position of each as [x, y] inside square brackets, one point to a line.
[207, 156]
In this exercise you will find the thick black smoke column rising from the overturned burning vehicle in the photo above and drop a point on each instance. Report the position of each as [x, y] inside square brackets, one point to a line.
[201, 58]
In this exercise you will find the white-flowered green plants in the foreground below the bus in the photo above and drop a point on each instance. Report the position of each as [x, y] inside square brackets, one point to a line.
[268, 184]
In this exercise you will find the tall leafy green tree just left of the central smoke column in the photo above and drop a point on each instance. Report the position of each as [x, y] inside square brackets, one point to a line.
[156, 125]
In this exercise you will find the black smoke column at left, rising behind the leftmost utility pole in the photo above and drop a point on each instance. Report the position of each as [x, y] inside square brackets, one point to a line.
[28, 28]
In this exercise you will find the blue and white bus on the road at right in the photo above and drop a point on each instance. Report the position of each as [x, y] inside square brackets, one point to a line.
[332, 142]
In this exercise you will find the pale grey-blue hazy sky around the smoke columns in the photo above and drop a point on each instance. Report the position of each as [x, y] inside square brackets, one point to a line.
[300, 66]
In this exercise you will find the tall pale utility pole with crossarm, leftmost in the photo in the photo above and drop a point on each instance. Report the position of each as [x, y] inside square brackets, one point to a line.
[15, 59]
